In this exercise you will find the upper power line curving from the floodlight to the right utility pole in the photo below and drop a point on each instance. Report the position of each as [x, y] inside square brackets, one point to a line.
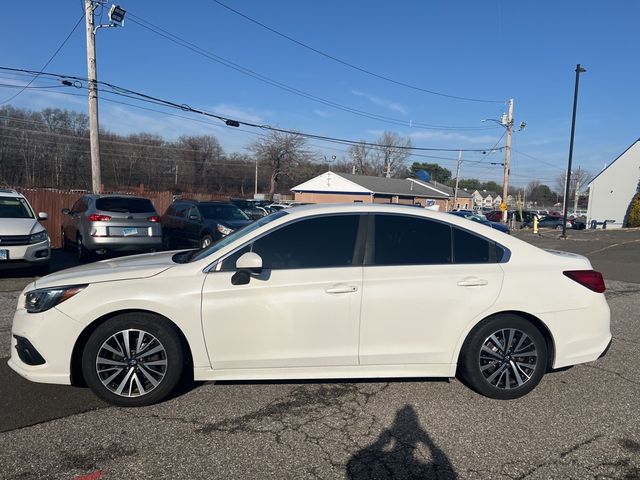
[295, 91]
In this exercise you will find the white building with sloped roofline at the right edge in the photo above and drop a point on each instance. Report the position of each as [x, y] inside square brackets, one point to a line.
[611, 191]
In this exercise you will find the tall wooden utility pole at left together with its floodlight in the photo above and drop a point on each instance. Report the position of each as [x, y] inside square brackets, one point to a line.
[116, 17]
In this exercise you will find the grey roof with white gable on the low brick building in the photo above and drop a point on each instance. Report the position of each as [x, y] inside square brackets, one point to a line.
[338, 182]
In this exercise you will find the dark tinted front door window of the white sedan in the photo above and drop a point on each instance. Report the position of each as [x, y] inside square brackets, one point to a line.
[321, 242]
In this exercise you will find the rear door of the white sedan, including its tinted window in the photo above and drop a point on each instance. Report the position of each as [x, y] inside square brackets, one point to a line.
[424, 281]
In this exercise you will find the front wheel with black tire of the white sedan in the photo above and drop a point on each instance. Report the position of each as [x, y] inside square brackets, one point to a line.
[131, 387]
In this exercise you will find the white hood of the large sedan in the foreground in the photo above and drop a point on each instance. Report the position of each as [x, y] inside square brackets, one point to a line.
[125, 268]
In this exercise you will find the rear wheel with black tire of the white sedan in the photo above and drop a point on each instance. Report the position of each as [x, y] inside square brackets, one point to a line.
[501, 373]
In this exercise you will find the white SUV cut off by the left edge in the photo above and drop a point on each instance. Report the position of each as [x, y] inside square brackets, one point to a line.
[23, 240]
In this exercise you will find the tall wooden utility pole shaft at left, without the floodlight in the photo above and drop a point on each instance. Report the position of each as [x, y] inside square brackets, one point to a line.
[96, 179]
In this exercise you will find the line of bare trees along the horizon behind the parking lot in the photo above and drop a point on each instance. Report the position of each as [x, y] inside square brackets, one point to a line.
[50, 148]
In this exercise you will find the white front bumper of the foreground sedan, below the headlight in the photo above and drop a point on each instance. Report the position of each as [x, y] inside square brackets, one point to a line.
[53, 335]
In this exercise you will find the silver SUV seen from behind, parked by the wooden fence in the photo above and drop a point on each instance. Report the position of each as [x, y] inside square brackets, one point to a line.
[108, 223]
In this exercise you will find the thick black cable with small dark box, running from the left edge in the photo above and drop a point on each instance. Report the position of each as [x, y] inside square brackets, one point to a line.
[232, 122]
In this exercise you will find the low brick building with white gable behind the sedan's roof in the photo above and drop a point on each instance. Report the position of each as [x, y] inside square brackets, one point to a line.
[337, 187]
